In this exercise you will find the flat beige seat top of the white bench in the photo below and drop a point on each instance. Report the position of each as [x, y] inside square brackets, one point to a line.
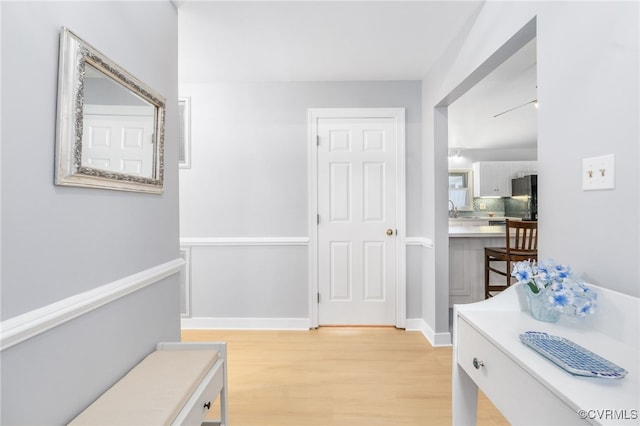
[153, 392]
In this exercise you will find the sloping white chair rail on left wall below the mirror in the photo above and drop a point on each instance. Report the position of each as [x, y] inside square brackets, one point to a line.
[22, 327]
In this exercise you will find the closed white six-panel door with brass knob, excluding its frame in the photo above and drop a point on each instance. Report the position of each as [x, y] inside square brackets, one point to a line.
[357, 237]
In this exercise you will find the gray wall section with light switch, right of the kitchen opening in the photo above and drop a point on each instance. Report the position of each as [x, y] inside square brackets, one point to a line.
[591, 111]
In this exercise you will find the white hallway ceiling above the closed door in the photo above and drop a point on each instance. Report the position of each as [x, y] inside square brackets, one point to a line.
[316, 40]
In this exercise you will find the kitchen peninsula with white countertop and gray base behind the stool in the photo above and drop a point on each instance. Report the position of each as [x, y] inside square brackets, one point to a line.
[466, 260]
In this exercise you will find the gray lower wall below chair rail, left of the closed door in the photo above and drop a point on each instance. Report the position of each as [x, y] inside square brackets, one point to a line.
[249, 278]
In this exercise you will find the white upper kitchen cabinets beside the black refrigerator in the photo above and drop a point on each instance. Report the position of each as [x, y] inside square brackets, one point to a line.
[493, 178]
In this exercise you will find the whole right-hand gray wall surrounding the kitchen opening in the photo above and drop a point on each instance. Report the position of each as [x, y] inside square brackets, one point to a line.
[585, 110]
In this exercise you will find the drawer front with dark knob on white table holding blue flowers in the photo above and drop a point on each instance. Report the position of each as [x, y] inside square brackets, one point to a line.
[495, 373]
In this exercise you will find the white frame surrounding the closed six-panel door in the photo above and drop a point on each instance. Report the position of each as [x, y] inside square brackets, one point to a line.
[398, 115]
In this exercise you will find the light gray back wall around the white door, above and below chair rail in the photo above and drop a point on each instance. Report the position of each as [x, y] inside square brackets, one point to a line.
[249, 179]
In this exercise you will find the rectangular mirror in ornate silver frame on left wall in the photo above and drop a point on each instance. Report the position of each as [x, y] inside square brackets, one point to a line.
[110, 124]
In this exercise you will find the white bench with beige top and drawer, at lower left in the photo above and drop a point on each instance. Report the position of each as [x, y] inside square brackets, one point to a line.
[175, 385]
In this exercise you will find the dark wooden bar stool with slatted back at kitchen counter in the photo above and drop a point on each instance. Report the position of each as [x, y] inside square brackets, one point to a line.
[525, 247]
